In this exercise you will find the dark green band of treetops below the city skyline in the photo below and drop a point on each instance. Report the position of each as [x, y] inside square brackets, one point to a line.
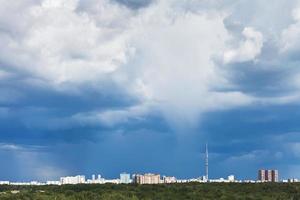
[193, 191]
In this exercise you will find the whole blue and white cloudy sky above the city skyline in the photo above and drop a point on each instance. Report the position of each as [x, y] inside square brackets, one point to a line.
[107, 86]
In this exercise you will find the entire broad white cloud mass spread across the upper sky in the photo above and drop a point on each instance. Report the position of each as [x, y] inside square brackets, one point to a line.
[166, 54]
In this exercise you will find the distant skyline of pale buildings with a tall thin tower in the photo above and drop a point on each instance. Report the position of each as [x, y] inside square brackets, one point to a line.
[264, 175]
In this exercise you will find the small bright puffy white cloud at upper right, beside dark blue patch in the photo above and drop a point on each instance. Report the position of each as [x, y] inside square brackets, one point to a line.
[248, 49]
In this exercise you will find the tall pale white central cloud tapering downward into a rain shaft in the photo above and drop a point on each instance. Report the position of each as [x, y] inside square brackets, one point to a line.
[174, 64]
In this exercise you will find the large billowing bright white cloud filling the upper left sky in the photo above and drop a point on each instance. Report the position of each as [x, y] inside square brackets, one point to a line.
[61, 45]
